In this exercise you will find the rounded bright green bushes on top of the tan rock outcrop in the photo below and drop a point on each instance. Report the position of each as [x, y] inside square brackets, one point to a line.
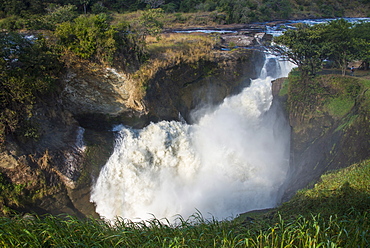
[92, 37]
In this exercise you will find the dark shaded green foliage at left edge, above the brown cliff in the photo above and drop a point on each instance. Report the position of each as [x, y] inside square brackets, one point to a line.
[28, 71]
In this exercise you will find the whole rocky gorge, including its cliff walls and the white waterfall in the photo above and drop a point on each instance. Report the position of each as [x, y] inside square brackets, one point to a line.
[198, 145]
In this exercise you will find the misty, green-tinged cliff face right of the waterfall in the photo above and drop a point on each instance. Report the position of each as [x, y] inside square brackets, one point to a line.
[322, 140]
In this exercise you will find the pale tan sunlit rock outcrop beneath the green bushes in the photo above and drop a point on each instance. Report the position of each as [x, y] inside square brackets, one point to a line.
[91, 89]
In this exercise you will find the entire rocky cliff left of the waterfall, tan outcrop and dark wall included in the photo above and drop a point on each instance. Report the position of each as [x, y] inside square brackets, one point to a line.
[54, 172]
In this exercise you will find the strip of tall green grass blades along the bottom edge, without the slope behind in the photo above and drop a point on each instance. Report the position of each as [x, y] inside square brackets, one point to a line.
[346, 231]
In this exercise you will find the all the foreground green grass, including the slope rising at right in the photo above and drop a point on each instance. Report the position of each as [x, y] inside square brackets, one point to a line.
[335, 213]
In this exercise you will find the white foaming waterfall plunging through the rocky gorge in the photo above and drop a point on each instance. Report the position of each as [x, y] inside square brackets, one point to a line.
[234, 159]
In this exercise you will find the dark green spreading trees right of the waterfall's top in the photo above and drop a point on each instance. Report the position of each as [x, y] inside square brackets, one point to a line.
[338, 41]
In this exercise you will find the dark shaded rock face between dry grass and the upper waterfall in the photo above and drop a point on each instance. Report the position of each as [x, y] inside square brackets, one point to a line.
[182, 88]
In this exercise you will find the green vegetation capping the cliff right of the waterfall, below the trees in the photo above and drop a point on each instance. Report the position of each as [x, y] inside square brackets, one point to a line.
[331, 94]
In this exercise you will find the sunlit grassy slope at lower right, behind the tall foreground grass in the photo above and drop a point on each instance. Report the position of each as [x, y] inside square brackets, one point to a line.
[336, 193]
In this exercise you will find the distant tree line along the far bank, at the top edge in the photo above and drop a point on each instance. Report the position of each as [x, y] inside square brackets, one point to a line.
[235, 11]
